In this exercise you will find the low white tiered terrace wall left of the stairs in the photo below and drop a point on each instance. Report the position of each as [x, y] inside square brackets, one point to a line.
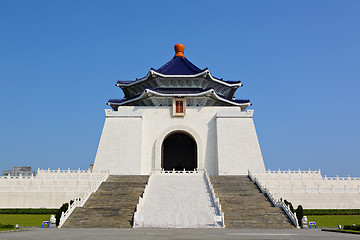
[48, 189]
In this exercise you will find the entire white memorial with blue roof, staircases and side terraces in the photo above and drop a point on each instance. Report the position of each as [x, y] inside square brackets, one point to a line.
[179, 150]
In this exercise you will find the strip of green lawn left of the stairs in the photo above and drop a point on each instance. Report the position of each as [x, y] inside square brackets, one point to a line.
[24, 220]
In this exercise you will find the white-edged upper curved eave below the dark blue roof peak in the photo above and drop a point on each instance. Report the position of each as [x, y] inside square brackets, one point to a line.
[205, 73]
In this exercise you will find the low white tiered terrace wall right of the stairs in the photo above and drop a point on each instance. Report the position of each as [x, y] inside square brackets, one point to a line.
[311, 190]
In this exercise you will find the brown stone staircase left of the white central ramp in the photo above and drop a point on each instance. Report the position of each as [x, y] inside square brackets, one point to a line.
[111, 206]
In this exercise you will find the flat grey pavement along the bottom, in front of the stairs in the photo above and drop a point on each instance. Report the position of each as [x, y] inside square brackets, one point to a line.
[160, 234]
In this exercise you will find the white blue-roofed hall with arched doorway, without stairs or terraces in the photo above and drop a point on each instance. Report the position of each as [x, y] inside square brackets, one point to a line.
[171, 111]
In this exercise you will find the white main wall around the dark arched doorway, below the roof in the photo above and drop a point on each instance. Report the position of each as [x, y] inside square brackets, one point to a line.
[132, 138]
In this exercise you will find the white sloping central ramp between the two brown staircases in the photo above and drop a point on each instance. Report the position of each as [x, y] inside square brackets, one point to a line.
[178, 200]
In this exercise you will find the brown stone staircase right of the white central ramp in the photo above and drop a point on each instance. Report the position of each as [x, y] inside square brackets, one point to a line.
[244, 205]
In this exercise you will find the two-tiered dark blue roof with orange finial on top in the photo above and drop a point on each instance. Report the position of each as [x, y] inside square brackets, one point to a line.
[175, 76]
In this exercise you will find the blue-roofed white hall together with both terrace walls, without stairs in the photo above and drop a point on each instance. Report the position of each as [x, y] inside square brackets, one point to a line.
[178, 117]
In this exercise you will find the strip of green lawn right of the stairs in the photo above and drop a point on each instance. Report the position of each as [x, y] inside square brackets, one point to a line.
[334, 220]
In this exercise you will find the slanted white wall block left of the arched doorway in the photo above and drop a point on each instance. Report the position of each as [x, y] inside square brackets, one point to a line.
[120, 144]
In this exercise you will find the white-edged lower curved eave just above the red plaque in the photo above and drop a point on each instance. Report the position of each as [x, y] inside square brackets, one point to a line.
[209, 93]
